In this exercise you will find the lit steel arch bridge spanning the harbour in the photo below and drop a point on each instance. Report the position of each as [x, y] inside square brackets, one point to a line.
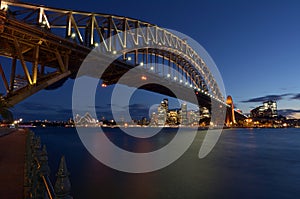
[46, 46]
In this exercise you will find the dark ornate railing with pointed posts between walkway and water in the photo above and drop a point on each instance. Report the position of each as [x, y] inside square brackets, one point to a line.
[37, 183]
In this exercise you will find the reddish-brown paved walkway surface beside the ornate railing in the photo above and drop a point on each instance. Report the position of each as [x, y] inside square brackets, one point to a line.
[12, 157]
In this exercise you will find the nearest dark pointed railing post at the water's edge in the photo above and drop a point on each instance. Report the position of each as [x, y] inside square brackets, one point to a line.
[62, 186]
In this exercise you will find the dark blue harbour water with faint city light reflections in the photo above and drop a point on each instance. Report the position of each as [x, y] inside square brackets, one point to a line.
[245, 163]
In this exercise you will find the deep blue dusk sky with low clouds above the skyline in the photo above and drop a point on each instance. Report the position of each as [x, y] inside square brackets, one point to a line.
[255, 45]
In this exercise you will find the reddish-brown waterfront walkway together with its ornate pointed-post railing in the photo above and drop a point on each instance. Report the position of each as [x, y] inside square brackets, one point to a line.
[24, 168]
